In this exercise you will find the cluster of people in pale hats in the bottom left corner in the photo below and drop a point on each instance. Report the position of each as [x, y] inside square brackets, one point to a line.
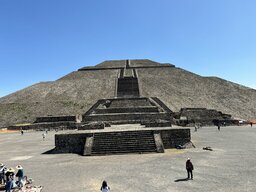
[9, 179]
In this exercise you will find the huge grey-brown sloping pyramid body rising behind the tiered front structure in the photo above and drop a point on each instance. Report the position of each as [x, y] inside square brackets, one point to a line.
[76, 92]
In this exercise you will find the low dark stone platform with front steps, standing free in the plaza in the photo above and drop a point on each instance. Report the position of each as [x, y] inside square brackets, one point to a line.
[121, 139]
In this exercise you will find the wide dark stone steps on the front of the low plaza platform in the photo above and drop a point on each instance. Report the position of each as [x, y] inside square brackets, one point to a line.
[123, 142]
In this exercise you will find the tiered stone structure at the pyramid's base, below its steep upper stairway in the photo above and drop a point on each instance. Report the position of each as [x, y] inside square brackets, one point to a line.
[127, 110]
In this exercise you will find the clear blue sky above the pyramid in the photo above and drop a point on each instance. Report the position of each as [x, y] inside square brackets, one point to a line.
[45, 39]
